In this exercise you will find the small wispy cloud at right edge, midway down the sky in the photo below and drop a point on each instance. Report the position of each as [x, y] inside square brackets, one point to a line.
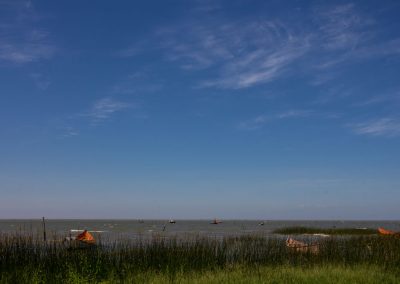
[378, 127]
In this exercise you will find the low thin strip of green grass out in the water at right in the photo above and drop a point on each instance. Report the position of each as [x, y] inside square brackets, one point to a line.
[330, 231]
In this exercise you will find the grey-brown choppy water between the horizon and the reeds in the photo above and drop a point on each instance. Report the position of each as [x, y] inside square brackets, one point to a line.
[132, 229]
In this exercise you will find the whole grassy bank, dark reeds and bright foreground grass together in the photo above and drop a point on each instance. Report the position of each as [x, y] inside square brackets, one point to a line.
[243, 259]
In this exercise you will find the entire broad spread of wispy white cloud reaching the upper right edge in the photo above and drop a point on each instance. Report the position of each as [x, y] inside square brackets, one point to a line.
[245, 53]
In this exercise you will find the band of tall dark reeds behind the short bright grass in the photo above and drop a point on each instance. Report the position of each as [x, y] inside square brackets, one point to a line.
[54, 261]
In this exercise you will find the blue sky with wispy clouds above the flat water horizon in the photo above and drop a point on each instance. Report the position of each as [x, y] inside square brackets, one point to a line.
[200, 109]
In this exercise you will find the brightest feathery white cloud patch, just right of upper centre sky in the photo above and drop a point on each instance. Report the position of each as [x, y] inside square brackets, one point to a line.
[245, 54]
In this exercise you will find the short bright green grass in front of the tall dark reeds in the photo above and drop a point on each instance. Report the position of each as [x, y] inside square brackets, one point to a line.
[264, 274]
